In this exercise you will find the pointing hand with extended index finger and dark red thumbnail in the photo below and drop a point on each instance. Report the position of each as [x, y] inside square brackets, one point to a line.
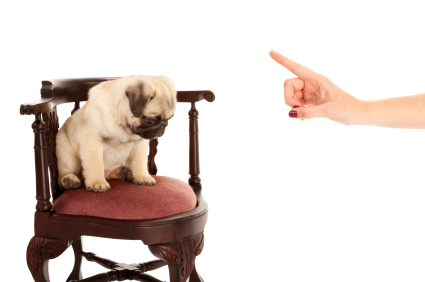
[312, 95]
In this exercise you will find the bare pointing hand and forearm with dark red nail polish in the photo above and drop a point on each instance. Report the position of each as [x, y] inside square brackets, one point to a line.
[312, 95]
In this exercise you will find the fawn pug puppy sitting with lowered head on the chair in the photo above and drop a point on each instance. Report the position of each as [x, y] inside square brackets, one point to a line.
[111, 132]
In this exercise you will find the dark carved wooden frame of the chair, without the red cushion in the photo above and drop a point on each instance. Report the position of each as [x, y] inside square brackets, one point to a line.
[176, 240]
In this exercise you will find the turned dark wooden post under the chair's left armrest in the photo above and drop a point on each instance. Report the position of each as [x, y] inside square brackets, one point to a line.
[41, 169]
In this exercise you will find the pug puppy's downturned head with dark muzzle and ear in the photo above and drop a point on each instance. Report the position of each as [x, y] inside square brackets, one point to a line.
[151, 103]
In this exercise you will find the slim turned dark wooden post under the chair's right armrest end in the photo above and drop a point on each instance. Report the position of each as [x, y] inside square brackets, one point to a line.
[194, 169]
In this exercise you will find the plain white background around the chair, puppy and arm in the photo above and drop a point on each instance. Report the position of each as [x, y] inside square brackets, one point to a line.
[289, 200]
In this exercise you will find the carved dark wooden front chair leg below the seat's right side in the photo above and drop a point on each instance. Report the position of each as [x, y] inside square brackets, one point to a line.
[180, 256]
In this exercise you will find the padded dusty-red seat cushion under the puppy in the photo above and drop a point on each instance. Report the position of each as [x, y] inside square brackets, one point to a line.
[126, 200]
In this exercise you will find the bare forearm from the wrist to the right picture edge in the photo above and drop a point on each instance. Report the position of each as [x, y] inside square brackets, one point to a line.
[399, 112]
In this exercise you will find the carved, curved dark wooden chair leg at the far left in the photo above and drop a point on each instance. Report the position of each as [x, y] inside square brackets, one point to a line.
[39, 252]
